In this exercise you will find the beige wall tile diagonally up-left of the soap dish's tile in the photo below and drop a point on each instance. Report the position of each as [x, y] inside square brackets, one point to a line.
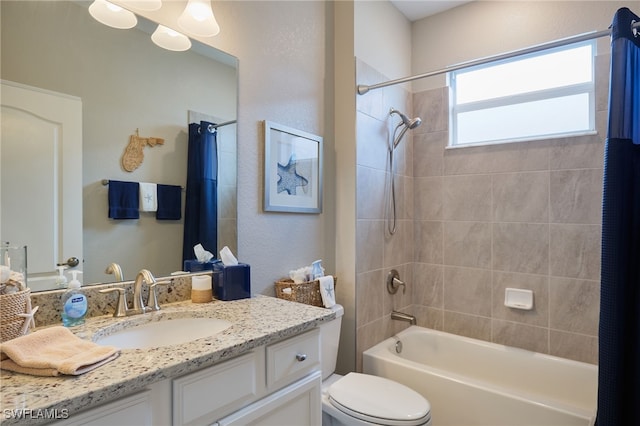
[467, 244]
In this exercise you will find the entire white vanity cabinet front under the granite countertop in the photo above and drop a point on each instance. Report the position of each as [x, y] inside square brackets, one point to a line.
[273, 385]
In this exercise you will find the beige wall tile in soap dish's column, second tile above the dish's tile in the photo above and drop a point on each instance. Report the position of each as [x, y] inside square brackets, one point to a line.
[521, 197]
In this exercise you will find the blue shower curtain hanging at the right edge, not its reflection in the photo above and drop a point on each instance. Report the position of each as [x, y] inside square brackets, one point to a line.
[619, 336]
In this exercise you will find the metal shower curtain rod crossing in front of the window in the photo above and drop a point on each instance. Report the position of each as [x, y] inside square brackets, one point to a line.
[363, 88]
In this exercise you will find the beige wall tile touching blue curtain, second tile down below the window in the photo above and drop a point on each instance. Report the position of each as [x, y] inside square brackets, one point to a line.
[576, 196]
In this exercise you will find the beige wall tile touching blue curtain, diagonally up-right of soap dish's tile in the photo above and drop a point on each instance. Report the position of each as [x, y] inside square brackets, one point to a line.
[575, 251]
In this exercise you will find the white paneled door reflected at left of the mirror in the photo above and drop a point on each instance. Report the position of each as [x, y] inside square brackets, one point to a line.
[41, 178]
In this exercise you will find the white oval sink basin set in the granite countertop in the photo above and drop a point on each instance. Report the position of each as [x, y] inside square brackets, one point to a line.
[164, 333]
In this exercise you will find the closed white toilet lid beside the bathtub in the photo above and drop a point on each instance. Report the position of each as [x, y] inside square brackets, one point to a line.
[379, 400]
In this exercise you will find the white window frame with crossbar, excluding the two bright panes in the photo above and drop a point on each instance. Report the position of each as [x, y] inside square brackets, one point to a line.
[545, 94]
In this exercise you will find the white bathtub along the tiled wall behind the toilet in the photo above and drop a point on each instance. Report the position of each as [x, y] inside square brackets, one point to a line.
[472, 382]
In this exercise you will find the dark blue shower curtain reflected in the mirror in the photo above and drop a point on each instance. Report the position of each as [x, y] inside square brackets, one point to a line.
[201, 206]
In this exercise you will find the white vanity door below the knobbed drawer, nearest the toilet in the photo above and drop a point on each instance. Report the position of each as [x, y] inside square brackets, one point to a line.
[297, 404]
